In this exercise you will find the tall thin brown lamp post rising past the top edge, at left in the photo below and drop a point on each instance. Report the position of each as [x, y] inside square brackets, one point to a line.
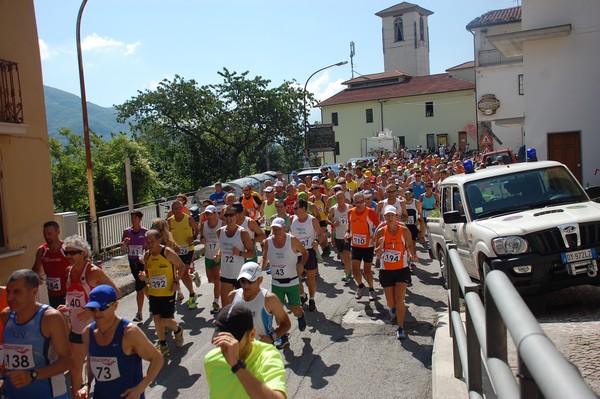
[86, 136]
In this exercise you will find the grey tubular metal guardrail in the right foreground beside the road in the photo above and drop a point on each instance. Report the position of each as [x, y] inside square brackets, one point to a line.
[543, 370]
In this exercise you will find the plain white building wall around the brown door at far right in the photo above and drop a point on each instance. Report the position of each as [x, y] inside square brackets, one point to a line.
[561, 84]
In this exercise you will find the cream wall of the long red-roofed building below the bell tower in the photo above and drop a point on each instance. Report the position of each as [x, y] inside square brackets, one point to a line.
[404, 117]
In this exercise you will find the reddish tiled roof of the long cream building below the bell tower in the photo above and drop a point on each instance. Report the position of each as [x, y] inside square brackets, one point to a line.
[413, 86]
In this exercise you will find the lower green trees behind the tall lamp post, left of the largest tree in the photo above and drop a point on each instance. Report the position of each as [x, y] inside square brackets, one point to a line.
[69, 172]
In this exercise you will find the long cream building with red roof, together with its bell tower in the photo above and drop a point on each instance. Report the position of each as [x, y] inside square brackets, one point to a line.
[416, 107]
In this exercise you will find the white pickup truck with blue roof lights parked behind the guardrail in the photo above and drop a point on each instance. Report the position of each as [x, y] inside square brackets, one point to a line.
[533, 221]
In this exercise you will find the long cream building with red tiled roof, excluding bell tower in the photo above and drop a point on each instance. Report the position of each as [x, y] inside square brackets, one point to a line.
[418, 110]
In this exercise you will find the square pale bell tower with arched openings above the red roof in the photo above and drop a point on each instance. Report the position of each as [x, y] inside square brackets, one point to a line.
[405, 37]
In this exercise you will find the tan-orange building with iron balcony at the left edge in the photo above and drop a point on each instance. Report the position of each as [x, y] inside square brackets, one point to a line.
[25, 175]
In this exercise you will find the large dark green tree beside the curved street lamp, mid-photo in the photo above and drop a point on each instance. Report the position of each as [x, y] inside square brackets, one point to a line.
[199, 134]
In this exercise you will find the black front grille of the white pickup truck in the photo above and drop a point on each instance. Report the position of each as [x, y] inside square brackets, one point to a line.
[550, 241]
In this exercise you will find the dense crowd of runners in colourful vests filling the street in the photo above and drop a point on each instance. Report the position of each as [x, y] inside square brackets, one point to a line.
[369, 215]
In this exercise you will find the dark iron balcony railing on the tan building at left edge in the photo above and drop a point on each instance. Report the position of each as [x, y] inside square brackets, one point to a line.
[11, 106]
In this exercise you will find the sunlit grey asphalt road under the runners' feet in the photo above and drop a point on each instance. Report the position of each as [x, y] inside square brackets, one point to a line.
[348, 350]
